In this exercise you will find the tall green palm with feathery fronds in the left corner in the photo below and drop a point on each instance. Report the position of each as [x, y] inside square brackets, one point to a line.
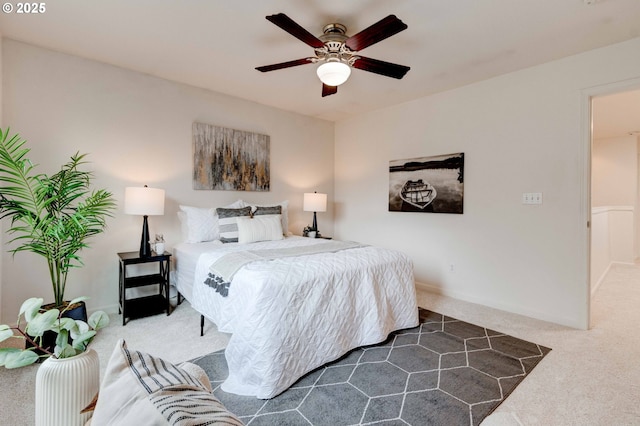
[51, 216]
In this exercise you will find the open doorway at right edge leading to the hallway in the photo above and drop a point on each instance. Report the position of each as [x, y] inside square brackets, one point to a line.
[614, 181]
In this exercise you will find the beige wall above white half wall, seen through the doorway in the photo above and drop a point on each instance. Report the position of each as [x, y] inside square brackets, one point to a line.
[614, 177]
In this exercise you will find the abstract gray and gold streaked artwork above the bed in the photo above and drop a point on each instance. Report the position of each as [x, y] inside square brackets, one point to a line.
[229, 160]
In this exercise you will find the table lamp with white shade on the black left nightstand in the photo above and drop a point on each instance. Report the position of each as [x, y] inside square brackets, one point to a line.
[144, 201]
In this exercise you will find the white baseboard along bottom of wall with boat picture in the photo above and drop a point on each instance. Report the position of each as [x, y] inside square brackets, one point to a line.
[489, 303]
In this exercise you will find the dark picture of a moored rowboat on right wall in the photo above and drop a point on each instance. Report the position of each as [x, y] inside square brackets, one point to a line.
[427, 184]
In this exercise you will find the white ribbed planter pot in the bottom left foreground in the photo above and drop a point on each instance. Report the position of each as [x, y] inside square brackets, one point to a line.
[64, 387]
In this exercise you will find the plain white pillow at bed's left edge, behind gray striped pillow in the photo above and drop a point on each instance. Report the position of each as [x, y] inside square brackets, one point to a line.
[200, 224]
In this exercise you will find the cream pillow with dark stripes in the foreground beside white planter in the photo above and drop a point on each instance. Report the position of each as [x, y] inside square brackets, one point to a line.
[138, 388]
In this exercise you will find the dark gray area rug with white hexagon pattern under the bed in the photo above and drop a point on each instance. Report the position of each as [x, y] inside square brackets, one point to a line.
[443, 372]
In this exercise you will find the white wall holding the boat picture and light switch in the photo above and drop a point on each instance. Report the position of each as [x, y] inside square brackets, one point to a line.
[520, 132]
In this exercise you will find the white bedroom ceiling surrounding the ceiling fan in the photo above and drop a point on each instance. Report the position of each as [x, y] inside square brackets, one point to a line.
[216, 44]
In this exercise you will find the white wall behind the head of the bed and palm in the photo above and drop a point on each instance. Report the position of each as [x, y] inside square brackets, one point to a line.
[137, 130]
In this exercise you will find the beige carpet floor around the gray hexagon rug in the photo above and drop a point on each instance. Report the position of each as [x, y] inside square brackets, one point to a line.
[590, 377]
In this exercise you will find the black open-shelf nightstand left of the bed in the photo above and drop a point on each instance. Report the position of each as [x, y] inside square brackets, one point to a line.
[148, 305]
